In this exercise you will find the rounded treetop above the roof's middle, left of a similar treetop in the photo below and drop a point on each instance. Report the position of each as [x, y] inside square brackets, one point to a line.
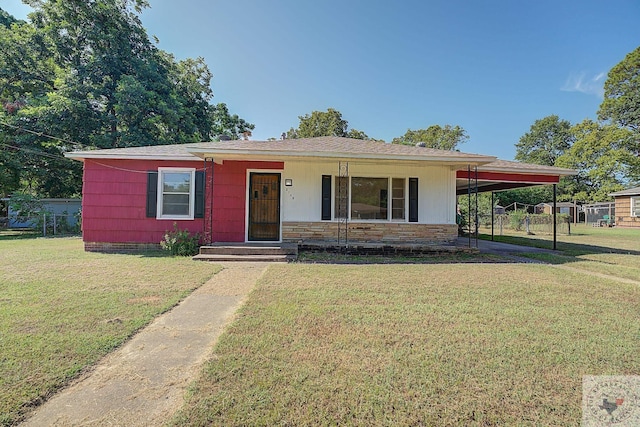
[321, 123]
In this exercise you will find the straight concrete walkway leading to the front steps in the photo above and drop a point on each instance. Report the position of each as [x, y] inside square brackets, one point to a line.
[143, 382]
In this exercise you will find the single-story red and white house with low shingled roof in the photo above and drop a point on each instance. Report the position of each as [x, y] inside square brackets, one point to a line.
[293, 190]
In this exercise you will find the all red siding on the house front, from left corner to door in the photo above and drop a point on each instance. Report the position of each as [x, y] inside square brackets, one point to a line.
[115, 195]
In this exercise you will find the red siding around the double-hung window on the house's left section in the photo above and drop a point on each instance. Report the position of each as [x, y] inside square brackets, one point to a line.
[114, 198]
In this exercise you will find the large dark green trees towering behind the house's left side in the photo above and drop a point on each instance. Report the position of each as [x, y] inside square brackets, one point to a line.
[84, 74]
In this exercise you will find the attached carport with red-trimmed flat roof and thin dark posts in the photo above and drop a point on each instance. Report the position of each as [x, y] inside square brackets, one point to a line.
[506, 175]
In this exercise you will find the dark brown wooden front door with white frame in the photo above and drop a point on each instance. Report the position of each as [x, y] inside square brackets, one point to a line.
[264, 206]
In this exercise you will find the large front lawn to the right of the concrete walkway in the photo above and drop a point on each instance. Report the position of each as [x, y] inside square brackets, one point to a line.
[423, 344]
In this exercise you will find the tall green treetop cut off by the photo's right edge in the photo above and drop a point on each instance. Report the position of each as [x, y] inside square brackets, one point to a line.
[621, 103]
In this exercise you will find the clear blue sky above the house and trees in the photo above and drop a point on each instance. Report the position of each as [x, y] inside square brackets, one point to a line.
[492, 67]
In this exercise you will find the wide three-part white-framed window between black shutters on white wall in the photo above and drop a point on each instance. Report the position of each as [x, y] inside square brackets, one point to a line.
[370, 198]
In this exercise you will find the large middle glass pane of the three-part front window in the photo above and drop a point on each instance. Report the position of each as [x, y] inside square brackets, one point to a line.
[369, 198]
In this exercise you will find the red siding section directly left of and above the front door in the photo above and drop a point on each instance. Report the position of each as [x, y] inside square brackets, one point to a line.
[229, 198]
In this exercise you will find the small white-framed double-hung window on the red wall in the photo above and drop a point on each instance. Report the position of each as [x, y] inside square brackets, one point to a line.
[176, 193]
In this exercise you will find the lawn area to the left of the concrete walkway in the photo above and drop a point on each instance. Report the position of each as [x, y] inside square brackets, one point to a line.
[62, 309]
